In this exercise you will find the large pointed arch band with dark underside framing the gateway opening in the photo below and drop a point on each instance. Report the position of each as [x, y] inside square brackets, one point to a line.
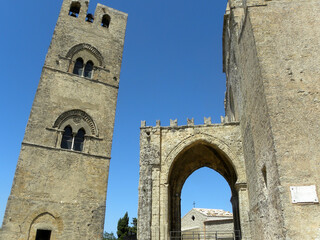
[193, 154]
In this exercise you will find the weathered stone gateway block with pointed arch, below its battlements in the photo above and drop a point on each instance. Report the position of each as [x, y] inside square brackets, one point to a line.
[168, 156]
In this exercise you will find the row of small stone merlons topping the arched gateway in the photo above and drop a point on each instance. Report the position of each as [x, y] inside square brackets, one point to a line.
[190, 123]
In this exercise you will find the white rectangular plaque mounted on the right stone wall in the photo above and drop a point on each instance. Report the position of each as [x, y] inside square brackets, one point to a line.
[304, 194]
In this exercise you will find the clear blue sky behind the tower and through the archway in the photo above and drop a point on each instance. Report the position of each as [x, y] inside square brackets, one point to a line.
[172, 68]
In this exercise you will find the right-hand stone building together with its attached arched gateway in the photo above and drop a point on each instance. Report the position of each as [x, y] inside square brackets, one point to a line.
[270, 56]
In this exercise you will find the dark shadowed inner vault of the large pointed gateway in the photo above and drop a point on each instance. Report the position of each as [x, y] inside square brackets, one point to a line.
[198, 155]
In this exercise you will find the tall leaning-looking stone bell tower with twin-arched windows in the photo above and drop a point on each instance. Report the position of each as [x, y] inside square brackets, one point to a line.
[60, 184]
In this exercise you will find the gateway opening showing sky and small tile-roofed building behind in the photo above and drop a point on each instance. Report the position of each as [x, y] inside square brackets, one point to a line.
[206, 210]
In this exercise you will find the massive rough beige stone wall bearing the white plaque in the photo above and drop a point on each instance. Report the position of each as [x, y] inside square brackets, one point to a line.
[270, 61]
